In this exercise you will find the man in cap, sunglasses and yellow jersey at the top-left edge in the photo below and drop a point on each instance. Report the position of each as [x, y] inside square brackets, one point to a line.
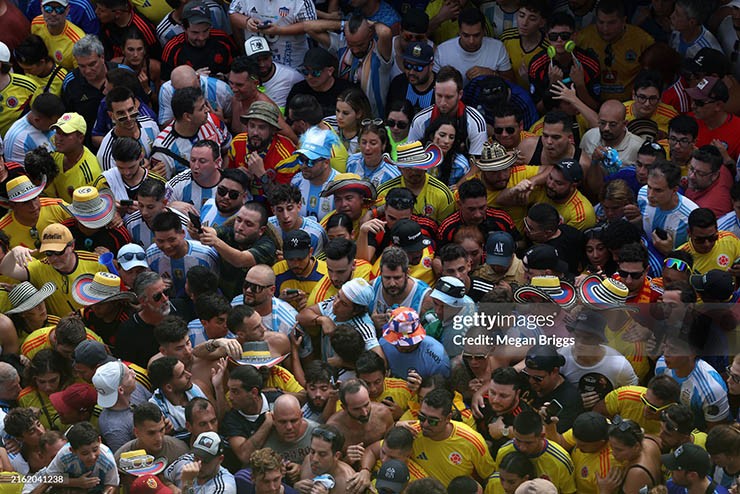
[58, 33]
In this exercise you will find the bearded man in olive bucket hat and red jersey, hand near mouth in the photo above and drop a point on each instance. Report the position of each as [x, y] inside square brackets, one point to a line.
[261, 152]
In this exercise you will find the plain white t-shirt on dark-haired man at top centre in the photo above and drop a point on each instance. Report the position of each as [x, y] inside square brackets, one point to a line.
[492, 54]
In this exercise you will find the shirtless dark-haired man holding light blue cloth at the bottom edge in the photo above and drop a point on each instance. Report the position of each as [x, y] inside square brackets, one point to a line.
[323, 459]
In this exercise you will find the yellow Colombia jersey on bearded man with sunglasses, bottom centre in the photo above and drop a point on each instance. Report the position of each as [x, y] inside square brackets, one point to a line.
[463, 453]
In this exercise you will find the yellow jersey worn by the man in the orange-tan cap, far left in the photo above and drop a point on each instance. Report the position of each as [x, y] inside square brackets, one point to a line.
[61, 302]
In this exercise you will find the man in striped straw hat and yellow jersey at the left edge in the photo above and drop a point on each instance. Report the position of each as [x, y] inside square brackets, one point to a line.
[29, 214]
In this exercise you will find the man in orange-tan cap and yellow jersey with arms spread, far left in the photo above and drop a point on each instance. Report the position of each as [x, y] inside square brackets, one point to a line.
[63, 265]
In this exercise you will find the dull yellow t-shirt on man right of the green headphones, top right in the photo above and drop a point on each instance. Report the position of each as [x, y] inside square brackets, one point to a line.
[624, 54]
